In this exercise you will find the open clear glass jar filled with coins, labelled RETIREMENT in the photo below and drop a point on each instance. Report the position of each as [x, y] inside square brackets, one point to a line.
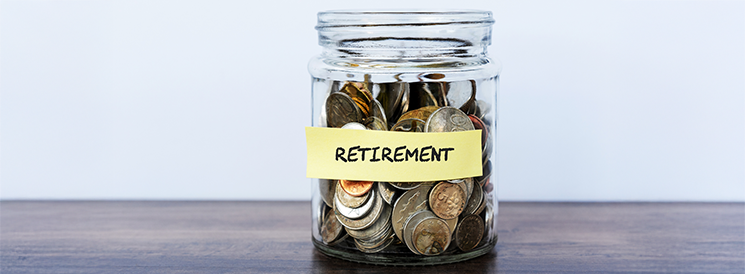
[412, 71]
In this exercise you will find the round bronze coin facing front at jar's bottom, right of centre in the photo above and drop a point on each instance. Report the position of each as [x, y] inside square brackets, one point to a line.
[431, 236]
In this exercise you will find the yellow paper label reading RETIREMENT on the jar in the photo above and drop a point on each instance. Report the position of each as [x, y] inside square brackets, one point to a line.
[390, 156]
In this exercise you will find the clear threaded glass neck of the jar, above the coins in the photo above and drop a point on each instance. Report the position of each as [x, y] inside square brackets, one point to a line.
[404, 35]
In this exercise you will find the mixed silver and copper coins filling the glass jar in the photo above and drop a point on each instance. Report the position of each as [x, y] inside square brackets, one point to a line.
[424, 218]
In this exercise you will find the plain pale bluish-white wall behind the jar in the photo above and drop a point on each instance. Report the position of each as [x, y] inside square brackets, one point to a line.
[600, 100]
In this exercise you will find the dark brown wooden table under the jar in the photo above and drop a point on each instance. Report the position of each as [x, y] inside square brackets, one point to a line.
[248, 237]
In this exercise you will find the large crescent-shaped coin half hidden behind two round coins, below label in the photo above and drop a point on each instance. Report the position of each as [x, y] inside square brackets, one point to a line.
[409, 202]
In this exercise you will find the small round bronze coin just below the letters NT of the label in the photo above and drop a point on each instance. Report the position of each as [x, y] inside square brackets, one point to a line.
[447, 200]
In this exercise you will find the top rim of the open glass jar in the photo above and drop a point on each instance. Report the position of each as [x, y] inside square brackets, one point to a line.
[401, 18]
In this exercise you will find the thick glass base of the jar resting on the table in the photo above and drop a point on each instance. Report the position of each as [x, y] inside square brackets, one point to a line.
[402, 260]
